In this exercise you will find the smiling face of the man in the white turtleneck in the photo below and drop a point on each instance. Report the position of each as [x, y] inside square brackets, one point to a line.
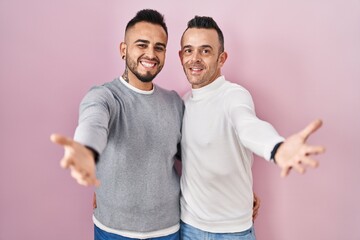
[200, 56]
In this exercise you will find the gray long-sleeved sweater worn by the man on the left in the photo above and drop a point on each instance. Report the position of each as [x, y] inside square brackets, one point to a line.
[137, 137]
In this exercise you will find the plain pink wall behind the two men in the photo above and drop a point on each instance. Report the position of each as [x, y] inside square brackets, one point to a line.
[300, 60]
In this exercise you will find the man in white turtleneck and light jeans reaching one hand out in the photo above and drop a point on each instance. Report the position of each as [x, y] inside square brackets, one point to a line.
[220, 133]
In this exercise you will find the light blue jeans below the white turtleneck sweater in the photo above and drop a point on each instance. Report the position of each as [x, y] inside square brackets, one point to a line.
[188, 232]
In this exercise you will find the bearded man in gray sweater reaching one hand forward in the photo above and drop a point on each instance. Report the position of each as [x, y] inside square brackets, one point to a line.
[130, 129]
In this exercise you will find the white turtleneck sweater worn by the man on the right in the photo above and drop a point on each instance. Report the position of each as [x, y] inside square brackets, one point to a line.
[220, 131]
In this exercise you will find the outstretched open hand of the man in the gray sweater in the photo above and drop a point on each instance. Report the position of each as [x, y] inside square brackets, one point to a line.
[79, 159]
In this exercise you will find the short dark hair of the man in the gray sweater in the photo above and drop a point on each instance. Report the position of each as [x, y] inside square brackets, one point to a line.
[150, 16]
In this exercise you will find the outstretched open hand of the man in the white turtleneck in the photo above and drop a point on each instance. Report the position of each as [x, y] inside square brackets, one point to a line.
[295, 153]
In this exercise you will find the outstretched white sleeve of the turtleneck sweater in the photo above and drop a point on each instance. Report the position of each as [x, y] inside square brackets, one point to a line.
[258, 136]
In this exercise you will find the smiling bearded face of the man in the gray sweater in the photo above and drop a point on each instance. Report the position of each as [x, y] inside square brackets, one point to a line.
[144, 50]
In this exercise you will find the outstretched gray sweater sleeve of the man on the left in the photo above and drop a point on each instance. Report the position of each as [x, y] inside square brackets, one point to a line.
[94, 117]
